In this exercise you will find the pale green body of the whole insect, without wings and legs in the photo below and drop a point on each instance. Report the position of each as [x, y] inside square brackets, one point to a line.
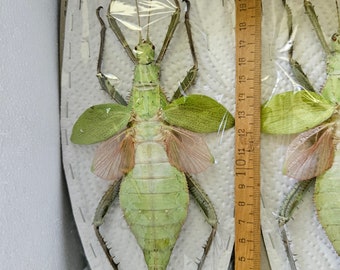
[154, 195]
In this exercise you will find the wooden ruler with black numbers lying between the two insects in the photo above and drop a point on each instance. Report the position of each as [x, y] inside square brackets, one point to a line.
[247, 134]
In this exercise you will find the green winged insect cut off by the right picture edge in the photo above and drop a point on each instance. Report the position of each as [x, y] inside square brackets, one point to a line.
[315, 152]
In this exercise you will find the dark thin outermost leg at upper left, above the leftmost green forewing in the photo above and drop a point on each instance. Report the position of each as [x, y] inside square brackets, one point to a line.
[103, 79]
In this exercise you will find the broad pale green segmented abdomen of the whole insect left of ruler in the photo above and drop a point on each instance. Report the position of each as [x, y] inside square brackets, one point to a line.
[154, 198]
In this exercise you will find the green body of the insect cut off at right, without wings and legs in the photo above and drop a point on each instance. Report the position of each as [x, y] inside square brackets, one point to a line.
[327, 186]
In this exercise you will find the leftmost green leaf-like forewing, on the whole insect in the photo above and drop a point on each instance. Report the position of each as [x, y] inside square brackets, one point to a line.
[99, 123]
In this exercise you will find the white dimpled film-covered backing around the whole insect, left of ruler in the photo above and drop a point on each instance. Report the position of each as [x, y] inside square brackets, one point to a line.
[214, 41]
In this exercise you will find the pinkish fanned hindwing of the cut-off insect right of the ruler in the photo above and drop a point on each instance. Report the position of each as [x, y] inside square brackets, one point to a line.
[310, 154]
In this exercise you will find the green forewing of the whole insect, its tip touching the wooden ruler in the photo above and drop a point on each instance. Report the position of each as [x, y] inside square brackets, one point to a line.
[198, 113]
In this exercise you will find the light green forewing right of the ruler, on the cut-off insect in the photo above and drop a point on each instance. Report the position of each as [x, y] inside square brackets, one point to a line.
[294, 112]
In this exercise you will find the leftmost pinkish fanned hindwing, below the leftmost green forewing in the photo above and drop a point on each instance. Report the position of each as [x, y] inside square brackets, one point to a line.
[115, 157]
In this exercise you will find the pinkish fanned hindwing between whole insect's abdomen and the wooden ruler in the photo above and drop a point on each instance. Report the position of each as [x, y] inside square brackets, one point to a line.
[186, 150]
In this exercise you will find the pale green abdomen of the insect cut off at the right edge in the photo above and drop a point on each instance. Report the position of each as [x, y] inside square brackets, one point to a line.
[327, 199]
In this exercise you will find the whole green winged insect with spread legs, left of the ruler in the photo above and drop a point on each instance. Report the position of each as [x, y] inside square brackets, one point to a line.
[150, 147]
